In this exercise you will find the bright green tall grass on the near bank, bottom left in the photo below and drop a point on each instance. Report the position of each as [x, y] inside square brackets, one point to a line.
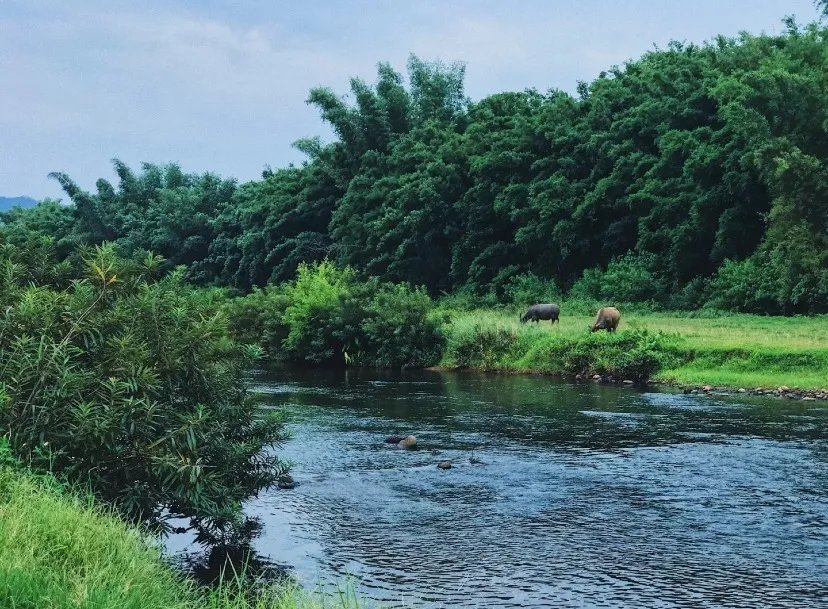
[58, 551]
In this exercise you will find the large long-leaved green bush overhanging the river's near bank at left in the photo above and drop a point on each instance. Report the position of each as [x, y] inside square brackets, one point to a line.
[129, 383]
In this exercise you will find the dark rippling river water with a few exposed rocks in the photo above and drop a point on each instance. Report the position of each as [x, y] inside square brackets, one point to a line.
[560, 495]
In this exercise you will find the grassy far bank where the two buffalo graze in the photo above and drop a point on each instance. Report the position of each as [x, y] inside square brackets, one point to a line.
[721, 350]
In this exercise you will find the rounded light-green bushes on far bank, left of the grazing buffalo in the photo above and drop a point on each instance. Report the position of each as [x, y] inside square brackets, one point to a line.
[328, 316]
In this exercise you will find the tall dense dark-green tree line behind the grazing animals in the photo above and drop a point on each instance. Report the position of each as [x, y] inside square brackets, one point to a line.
[695, 175]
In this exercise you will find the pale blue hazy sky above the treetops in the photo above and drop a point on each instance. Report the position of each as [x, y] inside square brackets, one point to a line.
[221, 86]
